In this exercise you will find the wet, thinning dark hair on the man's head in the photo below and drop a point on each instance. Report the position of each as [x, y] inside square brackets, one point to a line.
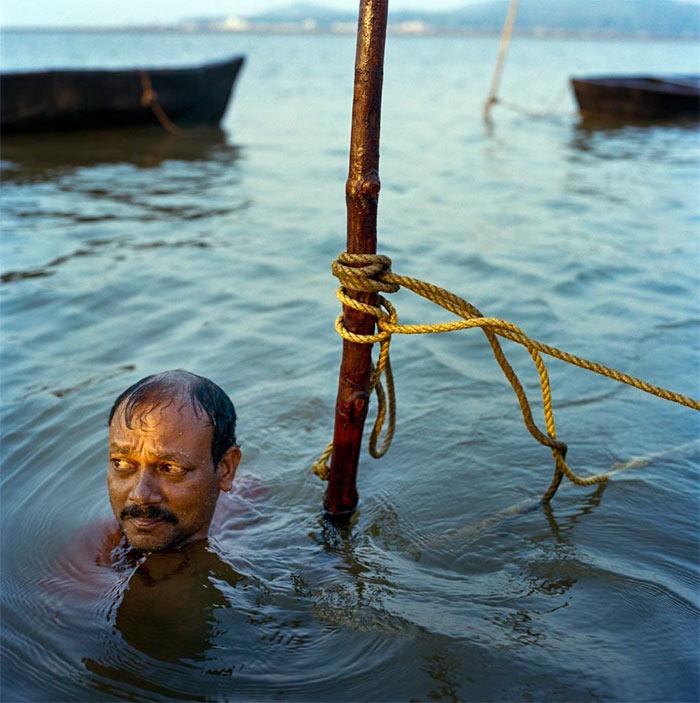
[204, 395]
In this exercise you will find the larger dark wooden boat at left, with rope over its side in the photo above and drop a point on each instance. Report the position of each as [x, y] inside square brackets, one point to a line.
[86, 99]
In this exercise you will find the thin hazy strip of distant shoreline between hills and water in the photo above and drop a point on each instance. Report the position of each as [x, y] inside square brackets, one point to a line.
[393, 31]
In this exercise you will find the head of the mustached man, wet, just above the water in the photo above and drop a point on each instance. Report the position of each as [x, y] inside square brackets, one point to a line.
[172, 449]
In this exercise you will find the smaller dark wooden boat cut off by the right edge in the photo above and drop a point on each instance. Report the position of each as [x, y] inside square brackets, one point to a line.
[638, 97]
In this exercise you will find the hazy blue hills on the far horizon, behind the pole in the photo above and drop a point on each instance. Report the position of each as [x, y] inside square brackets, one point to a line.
[667, 18]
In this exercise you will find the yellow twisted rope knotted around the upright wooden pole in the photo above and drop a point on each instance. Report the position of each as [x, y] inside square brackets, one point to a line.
[372, 273]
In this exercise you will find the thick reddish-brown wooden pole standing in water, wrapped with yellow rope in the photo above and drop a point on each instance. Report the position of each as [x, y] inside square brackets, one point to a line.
[361, 196]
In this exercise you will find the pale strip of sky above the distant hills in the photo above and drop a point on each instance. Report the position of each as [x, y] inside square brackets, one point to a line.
[15, 13]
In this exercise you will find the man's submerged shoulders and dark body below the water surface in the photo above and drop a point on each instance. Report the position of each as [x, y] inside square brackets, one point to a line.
[164, 602]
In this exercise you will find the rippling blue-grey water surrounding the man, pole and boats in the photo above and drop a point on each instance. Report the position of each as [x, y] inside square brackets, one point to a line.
[128, 253]
